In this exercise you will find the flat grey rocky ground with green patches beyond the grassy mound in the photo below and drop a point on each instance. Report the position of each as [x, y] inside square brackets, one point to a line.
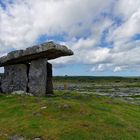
[127, 89]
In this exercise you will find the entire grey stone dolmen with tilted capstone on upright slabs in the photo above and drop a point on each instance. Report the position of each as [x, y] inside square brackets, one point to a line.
[28, 70]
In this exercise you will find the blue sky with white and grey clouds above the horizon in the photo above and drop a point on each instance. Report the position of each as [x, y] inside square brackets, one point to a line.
[103, 34]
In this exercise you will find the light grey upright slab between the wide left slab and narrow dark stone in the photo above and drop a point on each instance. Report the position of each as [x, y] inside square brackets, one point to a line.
[38, 77]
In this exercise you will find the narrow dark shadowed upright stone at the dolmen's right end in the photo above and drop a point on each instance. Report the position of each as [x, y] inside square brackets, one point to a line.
[49, 79]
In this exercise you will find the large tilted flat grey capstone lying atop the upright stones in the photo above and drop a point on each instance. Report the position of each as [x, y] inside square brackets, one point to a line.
[49, 50]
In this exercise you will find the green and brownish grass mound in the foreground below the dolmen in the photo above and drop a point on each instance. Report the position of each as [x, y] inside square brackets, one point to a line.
[68, 116]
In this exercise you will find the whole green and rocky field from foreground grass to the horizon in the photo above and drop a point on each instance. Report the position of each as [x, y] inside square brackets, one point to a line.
[82, 108]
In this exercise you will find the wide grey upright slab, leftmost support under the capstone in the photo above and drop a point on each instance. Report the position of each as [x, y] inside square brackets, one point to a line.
[15, 78]
